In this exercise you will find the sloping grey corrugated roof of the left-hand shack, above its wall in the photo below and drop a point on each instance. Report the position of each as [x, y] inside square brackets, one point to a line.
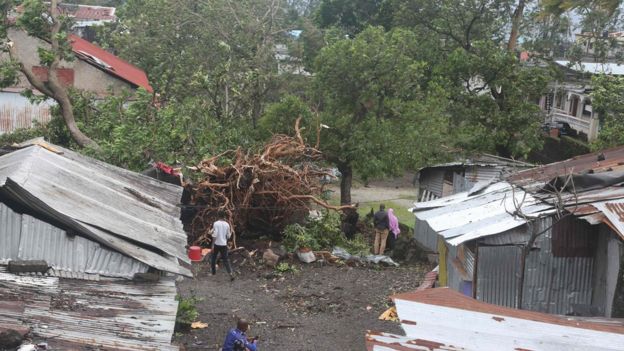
[125, 211]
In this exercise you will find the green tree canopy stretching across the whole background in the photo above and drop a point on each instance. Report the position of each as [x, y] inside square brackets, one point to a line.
[389, 84]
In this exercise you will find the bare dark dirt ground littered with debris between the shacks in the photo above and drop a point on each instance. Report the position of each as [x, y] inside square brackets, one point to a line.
[318, 308]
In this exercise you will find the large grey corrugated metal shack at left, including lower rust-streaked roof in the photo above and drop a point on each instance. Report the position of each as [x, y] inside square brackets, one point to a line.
[96, 226]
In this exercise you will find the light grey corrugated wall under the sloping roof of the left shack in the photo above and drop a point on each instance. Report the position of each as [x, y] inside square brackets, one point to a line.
[27, 238]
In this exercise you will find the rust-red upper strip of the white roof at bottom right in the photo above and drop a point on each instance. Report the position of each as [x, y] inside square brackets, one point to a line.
[449, 298]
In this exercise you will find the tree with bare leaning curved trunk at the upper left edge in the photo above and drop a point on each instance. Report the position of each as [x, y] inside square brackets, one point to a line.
[44, 22]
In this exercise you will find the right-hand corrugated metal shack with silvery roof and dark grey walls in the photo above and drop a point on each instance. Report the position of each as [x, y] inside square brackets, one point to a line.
[548, 239]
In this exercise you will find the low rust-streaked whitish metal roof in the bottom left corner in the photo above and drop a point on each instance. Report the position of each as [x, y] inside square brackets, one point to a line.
[71, 314]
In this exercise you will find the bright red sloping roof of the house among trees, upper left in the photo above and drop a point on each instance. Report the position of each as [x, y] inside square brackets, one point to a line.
[108, 62]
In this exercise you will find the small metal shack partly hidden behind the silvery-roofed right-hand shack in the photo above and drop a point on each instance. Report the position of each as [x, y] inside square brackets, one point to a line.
[455, 177]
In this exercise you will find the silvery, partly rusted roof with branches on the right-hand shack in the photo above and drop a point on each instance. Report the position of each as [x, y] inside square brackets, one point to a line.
[589, 186]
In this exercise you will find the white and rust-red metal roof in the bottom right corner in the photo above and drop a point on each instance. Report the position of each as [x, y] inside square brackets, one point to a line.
[442, 319]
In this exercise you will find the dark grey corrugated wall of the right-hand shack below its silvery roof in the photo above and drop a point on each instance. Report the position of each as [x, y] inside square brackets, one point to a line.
[559, 285]
